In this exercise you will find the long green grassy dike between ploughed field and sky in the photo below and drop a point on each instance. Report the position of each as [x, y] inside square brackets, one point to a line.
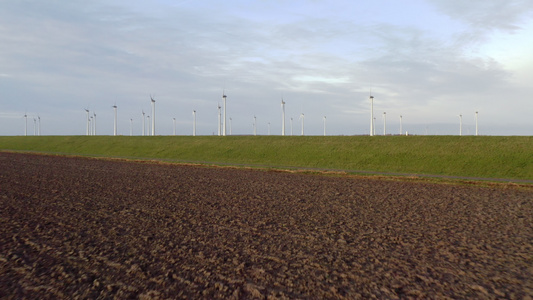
[487, 157]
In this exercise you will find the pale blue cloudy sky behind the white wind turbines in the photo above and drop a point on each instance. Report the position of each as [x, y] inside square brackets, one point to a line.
[429, 61]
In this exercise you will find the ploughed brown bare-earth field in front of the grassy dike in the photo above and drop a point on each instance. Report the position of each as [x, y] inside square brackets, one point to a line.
[87, 228]
